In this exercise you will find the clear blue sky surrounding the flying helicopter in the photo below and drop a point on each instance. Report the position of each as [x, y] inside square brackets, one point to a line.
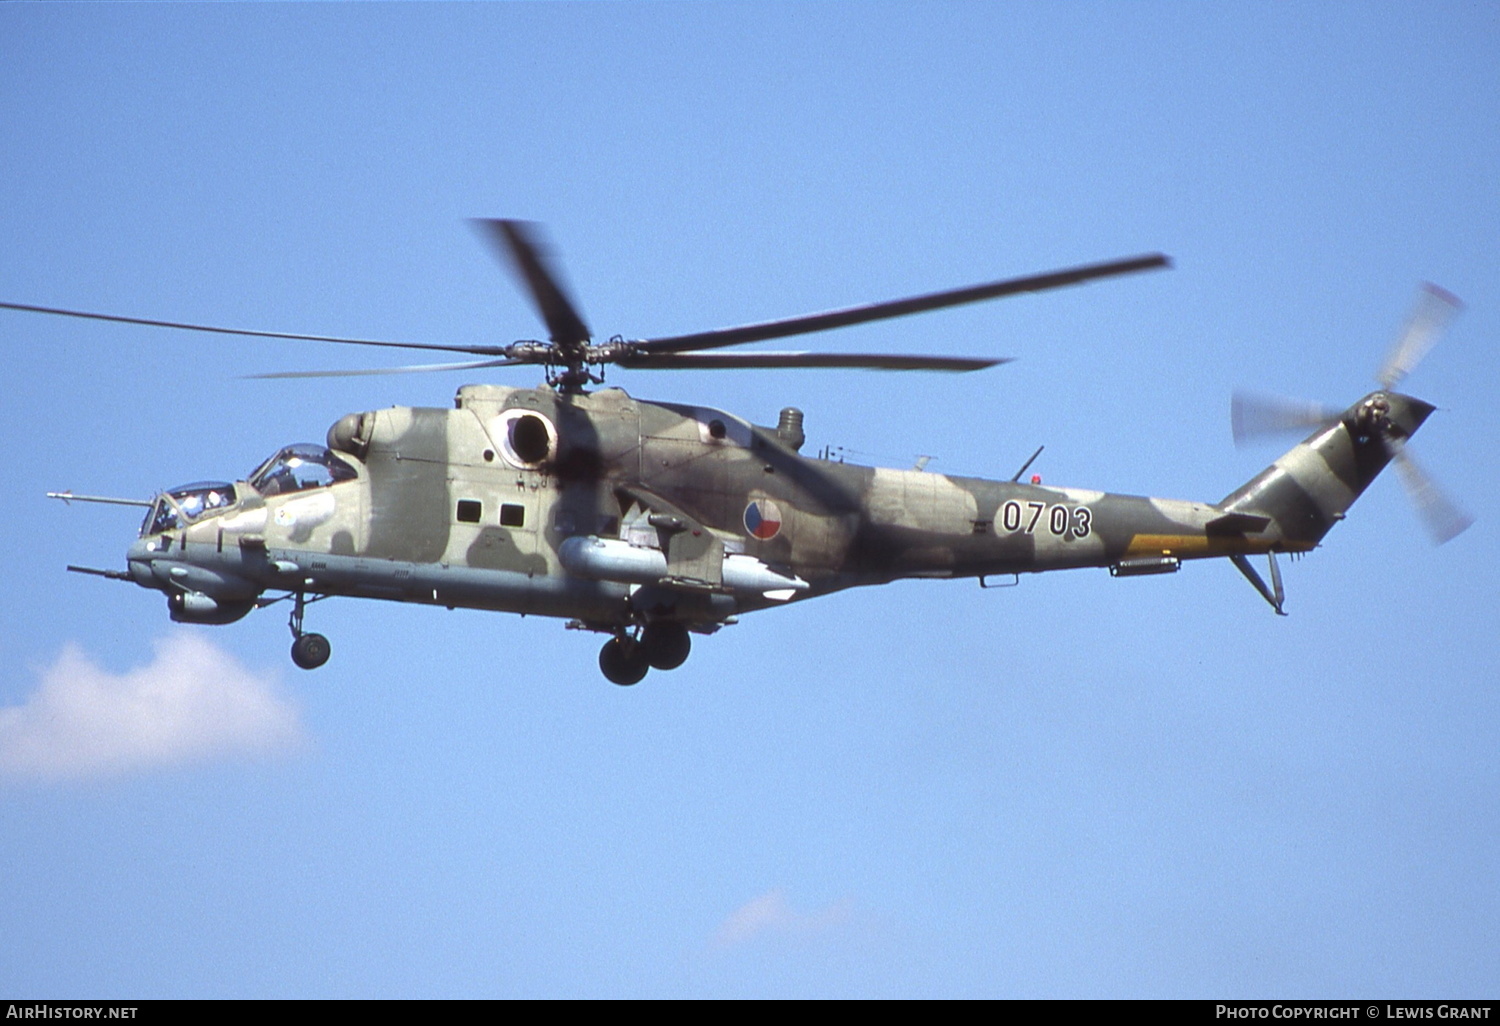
[1081, 787]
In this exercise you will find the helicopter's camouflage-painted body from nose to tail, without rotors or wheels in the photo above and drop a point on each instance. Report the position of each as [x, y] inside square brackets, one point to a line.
[473, 506]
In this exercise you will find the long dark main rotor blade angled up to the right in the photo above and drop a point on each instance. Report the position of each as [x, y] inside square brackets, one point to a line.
[896, 308]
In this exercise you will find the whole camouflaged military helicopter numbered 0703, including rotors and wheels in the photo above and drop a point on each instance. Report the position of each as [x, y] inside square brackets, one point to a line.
[653, 521]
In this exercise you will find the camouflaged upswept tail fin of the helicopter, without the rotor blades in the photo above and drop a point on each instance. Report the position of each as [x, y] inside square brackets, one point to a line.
[1310, 488]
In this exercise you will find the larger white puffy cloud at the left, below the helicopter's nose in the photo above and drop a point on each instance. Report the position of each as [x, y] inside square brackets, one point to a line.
[191, 704]
